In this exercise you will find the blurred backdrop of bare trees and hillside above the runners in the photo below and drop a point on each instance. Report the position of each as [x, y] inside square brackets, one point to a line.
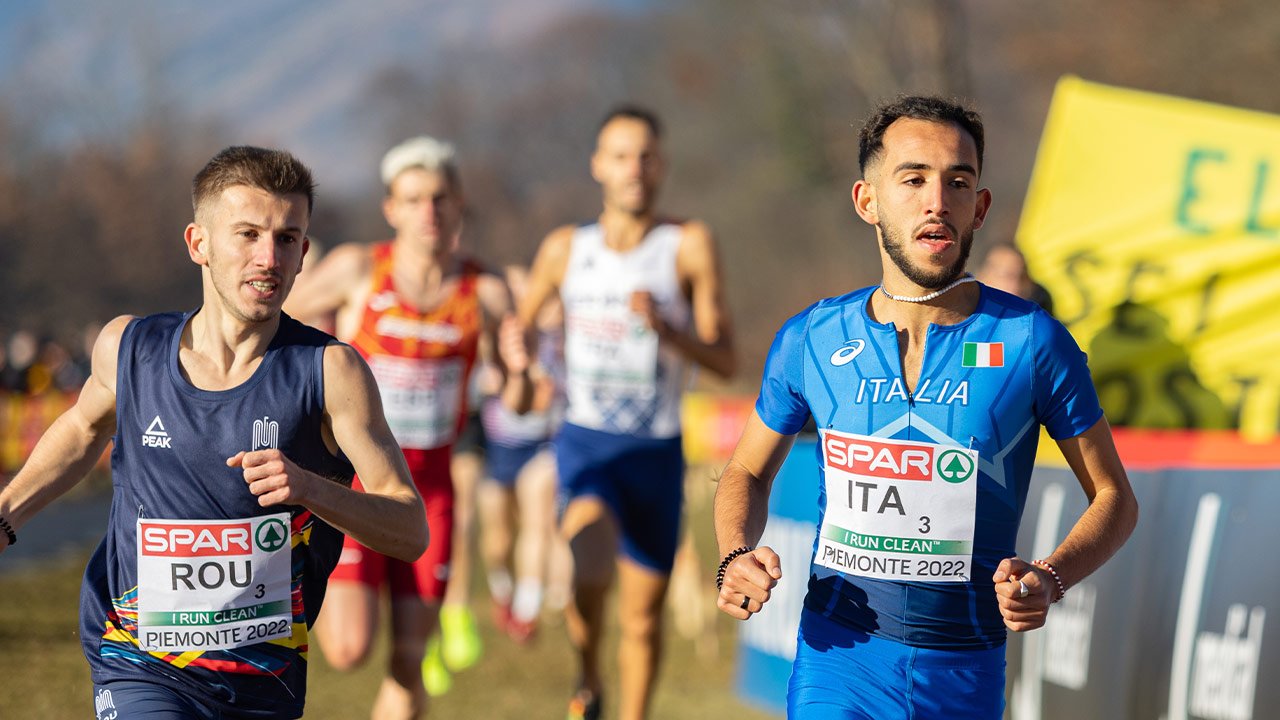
[107, 113]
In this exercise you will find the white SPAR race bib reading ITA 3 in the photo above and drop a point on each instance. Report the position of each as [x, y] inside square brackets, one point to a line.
[898, 511]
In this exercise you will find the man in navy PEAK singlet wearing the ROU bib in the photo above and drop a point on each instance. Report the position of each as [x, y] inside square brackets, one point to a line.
[237, 431]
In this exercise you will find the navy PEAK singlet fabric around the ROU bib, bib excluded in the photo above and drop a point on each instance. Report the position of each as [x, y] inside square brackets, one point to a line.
[170, 462]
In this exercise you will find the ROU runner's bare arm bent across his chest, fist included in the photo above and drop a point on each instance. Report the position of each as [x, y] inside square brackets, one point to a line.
[388, 517]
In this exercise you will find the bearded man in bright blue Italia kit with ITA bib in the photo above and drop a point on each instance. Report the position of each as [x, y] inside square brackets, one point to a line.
[929, 394]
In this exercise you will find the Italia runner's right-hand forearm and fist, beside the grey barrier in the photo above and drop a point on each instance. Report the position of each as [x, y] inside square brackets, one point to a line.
[1100, 532]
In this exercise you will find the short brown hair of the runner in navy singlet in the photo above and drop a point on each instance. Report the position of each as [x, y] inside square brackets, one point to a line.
[273, 171]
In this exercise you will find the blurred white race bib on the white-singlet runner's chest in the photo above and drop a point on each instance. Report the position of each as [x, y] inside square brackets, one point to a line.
[611, 352]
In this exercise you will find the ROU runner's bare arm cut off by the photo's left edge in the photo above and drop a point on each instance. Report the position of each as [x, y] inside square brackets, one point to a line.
[74, 444]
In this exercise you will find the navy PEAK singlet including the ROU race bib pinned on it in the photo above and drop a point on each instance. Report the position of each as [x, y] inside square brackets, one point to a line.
[194, 576]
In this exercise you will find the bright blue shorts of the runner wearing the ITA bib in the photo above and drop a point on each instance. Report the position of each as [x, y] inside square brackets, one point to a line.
[843, 675]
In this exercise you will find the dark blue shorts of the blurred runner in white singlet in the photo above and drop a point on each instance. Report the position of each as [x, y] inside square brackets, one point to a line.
[641, 480]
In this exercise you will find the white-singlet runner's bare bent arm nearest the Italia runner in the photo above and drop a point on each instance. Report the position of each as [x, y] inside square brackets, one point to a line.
[711, 345]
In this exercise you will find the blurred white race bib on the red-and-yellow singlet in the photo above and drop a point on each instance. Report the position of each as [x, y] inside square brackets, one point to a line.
[422, 398]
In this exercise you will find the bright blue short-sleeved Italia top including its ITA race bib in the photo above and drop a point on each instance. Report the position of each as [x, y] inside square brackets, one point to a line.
[922, 493]
